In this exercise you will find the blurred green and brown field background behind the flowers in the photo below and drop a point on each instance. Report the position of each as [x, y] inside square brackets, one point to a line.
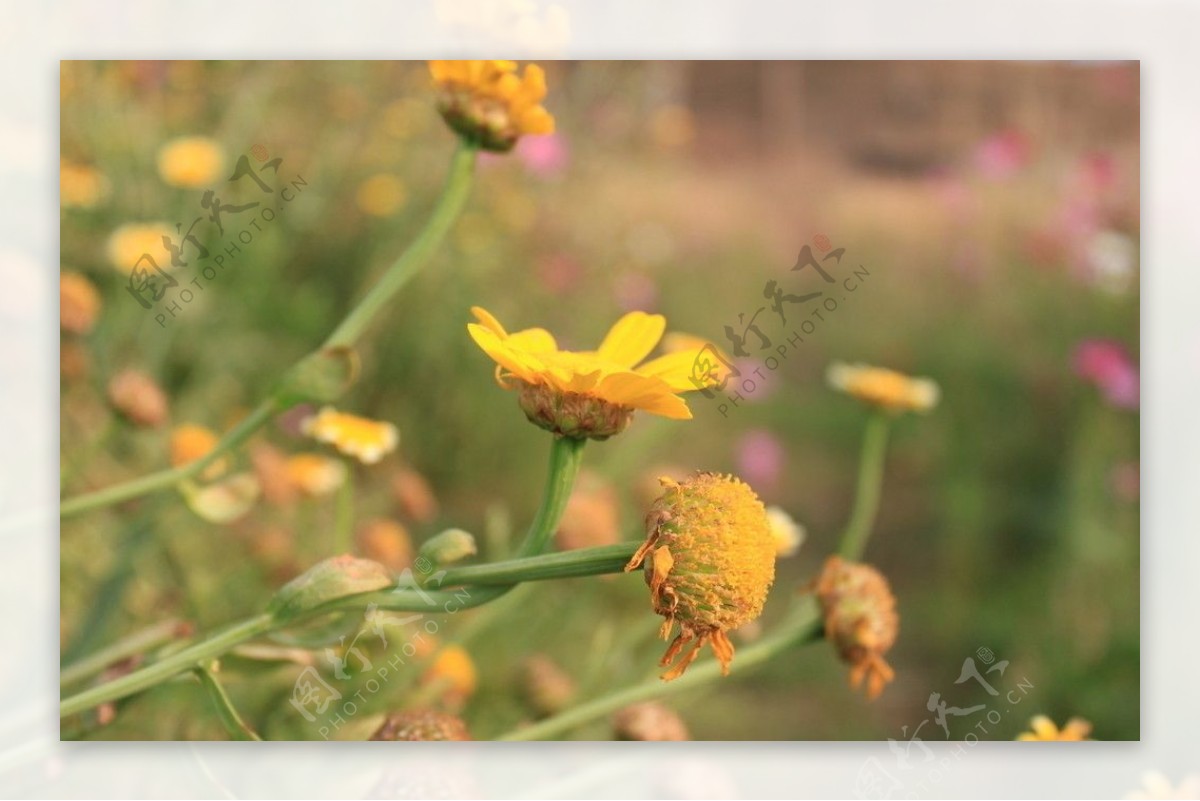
[995, 208]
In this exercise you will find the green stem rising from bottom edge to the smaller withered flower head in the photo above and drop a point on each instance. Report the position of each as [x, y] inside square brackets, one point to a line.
[806, 627]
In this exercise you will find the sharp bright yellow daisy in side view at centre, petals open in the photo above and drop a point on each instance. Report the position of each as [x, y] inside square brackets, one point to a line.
[589, 394]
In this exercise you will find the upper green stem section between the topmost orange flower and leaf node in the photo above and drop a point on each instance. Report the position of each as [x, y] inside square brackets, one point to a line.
[454, 198]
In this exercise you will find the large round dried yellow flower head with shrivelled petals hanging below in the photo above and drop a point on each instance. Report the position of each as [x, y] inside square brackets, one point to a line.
[710, 562]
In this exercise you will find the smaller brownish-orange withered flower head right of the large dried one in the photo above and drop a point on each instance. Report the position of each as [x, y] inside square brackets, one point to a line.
[861, 621]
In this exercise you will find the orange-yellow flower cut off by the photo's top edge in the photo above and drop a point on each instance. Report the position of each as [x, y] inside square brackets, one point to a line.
[490, 105]
